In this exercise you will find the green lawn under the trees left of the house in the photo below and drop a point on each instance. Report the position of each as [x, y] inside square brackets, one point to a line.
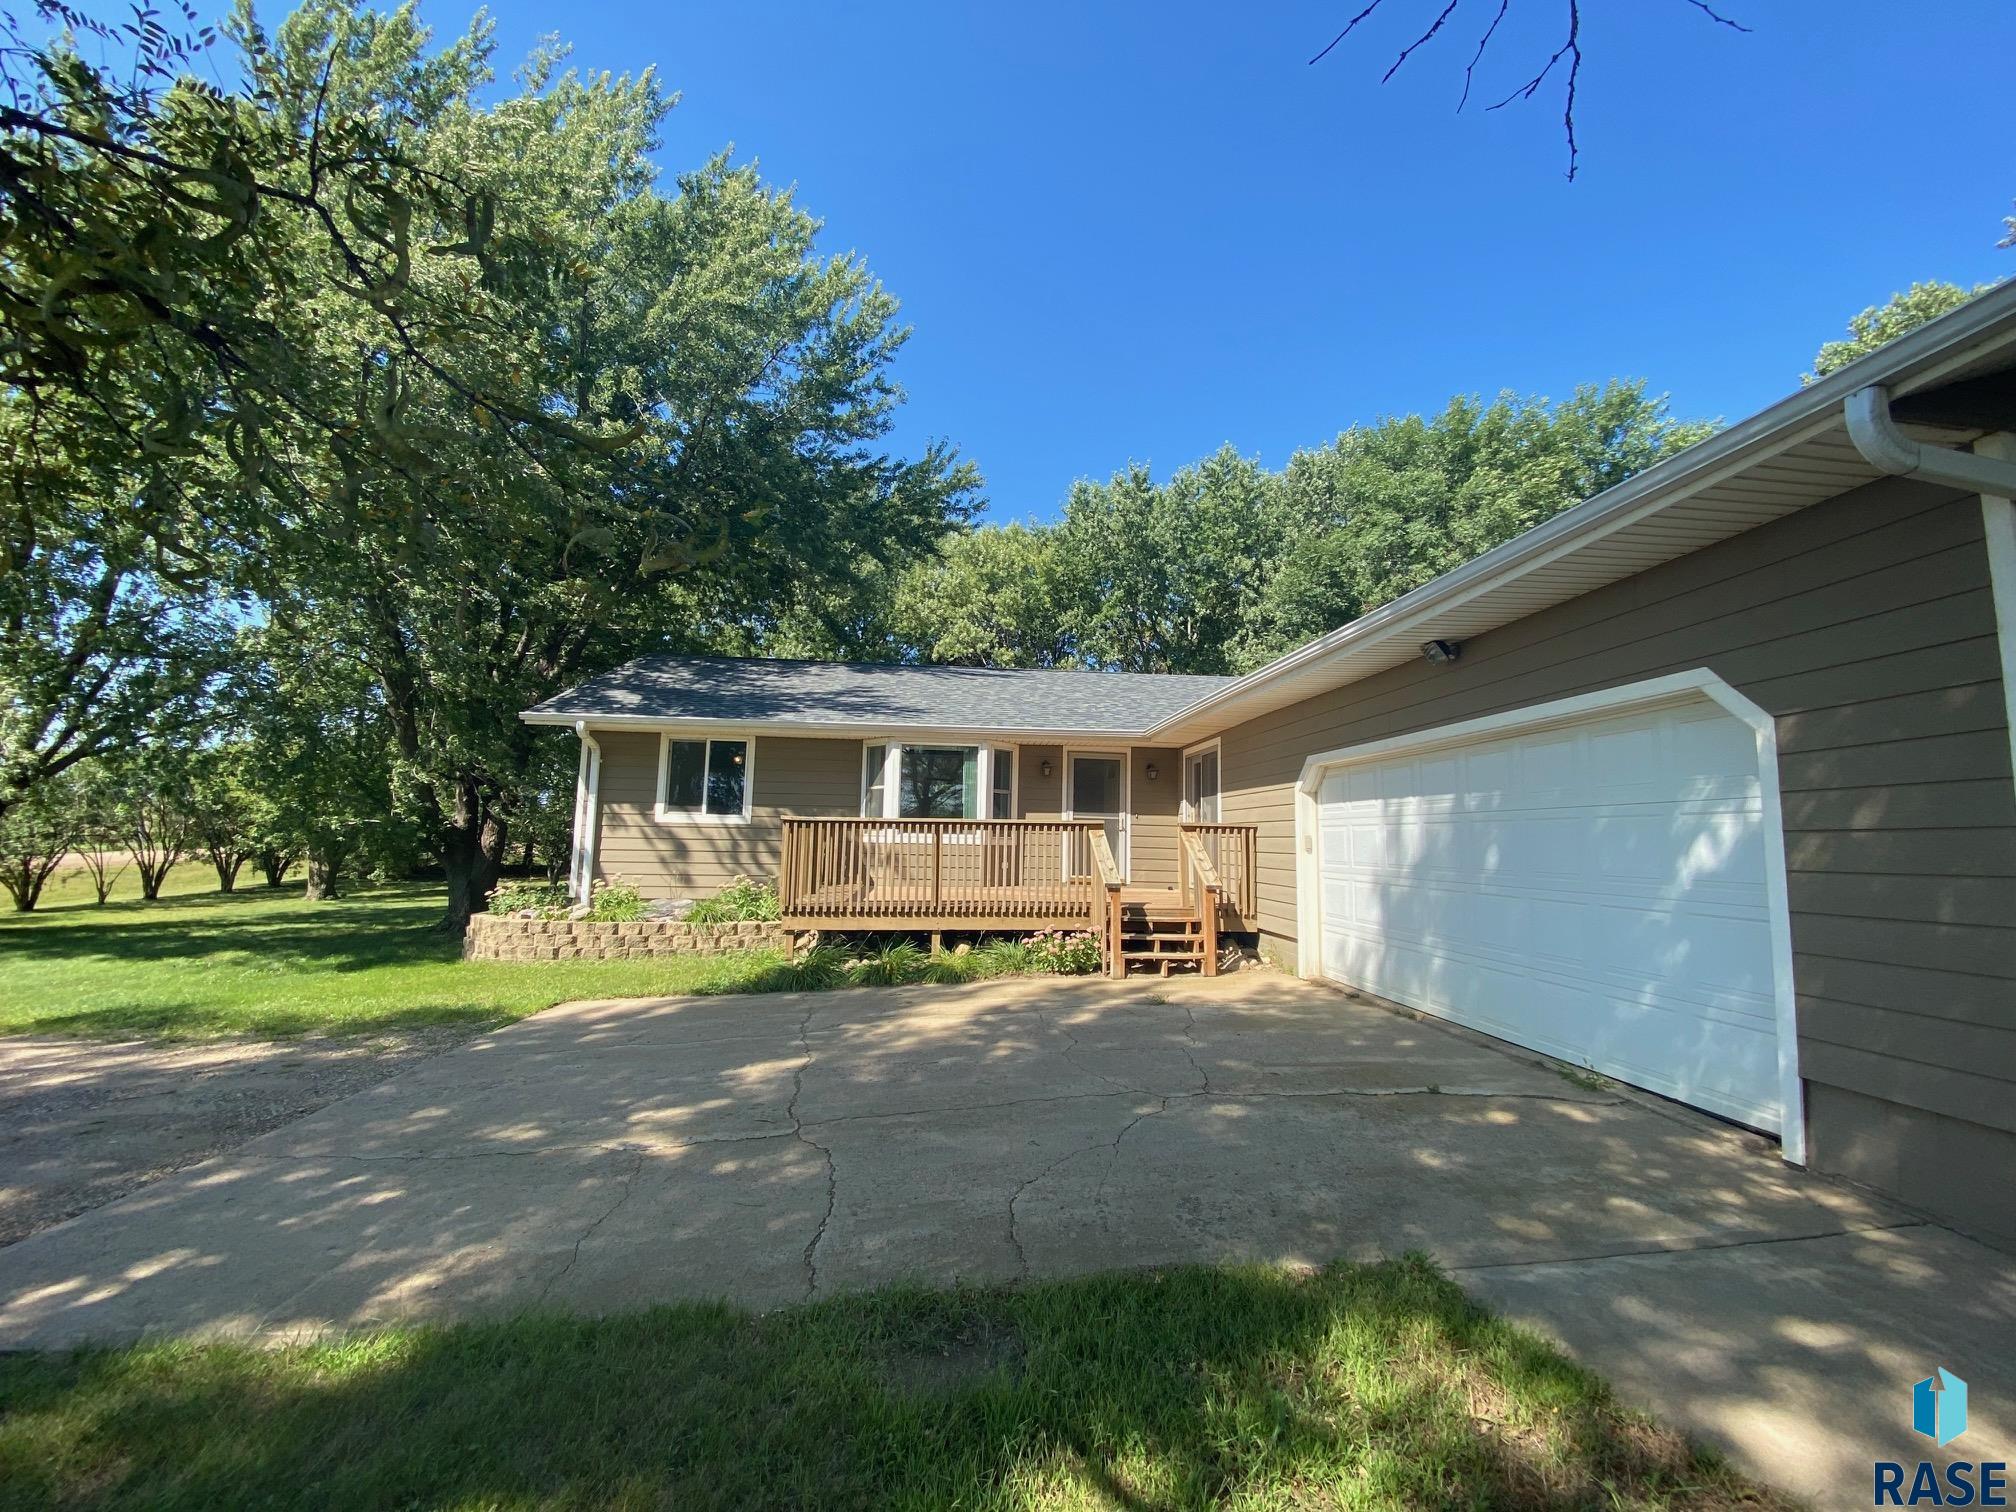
[263, 963]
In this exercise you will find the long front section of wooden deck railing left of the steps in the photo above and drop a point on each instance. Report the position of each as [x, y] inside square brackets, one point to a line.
[942, 872]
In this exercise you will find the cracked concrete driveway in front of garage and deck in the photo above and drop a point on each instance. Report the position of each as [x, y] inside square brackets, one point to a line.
[769, 1150]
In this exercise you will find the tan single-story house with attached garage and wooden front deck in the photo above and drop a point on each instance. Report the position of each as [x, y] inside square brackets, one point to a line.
[1705, 783]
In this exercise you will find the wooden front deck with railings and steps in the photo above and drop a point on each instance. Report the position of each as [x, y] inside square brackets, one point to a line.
[1015, 874]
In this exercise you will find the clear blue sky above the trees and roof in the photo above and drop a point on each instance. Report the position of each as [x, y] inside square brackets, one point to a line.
[1142, 231]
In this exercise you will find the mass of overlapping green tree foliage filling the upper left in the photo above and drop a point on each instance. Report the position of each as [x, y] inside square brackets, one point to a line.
[440, 382]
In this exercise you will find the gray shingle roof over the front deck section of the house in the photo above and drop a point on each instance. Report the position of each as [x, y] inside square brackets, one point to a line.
[878, 695]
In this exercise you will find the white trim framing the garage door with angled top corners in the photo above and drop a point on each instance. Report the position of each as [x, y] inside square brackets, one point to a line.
[1652, 692]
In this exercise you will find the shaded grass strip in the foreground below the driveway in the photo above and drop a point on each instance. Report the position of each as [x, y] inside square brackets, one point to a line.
[1247, 1388]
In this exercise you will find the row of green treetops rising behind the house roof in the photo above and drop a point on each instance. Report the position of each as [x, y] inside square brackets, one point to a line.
[1227, 565]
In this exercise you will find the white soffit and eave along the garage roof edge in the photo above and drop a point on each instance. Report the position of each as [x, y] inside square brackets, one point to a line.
[1773, 465]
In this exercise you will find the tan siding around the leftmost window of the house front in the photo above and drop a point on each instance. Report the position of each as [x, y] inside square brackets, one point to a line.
[686, 860]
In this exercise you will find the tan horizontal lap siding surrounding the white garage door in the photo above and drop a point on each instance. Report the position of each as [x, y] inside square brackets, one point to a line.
[1866, 626]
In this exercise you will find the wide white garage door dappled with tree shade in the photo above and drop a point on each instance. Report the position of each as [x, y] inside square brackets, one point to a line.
[1590, 890]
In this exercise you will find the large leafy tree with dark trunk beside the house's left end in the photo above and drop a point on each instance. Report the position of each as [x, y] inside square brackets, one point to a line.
[727, 390]
